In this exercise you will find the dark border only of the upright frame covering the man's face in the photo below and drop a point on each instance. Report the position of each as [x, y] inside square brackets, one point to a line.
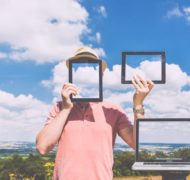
[86, 60]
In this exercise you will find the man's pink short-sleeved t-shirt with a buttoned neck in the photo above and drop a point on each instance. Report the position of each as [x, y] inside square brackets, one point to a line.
[85, 148]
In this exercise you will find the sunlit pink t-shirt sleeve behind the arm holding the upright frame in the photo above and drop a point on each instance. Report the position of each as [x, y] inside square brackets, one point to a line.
[53, 113]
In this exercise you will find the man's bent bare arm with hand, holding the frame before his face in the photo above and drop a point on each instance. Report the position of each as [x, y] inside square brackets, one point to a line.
[50, 133]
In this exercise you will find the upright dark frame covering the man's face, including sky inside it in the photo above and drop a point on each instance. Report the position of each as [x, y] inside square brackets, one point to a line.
[87, 76]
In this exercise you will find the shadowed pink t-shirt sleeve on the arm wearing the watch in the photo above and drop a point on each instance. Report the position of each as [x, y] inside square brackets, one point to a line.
[123, 120]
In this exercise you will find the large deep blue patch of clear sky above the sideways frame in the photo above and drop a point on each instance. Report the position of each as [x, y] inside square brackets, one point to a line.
[143, 25]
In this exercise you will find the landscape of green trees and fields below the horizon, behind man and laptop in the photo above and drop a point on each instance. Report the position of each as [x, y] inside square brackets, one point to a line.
[20, 160]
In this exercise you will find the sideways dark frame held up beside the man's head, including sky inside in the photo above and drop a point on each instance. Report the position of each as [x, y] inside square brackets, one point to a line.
[149, 65]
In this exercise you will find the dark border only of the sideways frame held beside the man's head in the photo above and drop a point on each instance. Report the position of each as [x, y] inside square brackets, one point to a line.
[163, 65]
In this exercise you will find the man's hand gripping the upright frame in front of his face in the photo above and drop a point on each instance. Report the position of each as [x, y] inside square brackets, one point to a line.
[66, 91]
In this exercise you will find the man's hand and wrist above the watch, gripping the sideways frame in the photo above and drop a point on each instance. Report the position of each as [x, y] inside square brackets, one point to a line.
[143, 87]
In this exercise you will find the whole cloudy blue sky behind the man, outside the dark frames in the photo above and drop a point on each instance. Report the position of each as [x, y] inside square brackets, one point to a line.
[37, 36]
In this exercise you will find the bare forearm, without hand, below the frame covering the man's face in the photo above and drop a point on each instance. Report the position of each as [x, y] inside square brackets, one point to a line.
[50, 134]
